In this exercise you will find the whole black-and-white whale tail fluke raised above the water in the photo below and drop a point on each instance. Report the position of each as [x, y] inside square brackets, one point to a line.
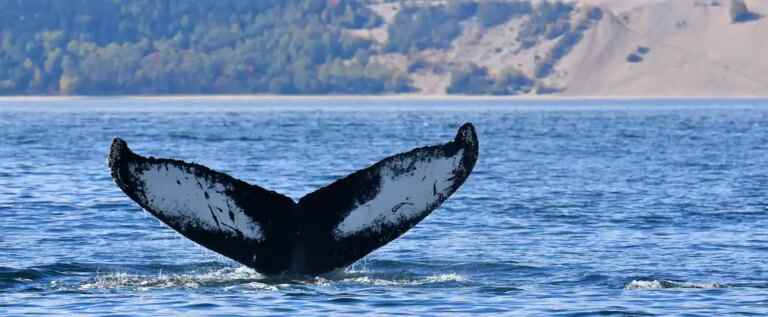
[327, 229]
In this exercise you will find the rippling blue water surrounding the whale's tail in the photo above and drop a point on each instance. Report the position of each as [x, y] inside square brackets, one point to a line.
[574, 208]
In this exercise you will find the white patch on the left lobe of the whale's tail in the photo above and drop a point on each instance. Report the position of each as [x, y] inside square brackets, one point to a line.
[191, 202]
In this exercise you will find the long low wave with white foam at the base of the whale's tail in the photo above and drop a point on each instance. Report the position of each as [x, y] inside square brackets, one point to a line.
[140, 277]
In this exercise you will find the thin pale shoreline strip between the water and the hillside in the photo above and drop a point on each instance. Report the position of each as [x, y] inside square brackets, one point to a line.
[394, 97]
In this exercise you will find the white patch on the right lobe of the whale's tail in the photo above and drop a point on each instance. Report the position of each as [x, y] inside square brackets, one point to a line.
[403, 196]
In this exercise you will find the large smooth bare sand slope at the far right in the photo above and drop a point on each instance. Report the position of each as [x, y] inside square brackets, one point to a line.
[694, 50]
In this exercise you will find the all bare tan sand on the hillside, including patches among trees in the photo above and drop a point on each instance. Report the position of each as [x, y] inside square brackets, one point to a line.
[693, 49]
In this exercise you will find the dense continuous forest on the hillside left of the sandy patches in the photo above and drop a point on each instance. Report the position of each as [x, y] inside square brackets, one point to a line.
[173, 46]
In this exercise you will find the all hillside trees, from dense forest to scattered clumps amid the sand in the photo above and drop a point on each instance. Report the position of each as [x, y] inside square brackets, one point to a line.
[94, 47]
